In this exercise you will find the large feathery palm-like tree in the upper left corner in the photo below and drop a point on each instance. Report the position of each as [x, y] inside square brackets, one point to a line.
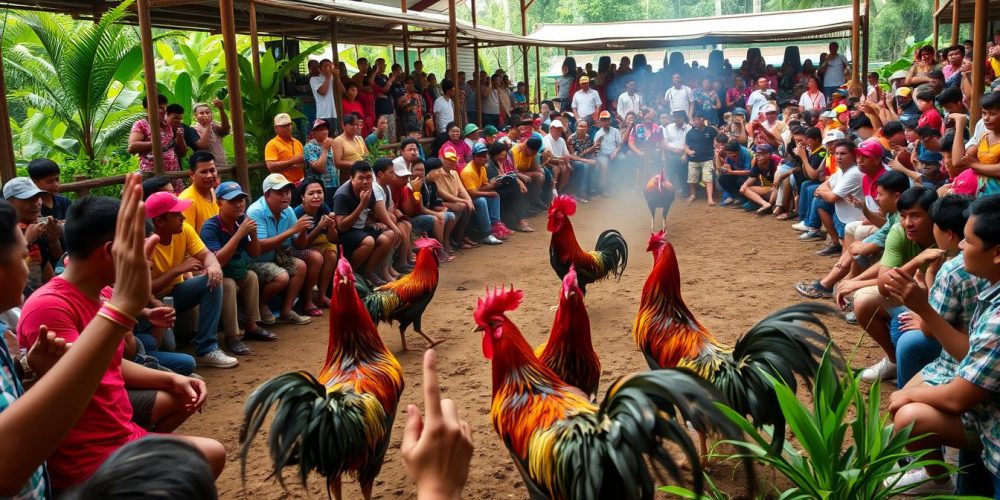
[80, 72]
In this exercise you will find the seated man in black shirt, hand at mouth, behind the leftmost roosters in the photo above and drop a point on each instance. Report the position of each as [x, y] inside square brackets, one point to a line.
[365, 242]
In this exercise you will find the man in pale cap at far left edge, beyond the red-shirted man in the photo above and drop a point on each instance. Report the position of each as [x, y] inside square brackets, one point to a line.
[42, 234]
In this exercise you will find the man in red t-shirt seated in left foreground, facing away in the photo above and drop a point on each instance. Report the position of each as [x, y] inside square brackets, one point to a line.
[65, 306]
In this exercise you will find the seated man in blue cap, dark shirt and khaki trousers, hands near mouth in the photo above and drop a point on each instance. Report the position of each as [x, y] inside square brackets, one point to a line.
[232, 237]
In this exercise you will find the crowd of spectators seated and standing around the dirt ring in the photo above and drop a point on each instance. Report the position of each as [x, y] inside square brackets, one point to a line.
[890, 177]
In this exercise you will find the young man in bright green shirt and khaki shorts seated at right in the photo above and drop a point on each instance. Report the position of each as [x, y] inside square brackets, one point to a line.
[875, 310]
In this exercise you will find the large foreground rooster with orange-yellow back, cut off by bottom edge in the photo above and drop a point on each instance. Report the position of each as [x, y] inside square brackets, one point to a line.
[563, 445]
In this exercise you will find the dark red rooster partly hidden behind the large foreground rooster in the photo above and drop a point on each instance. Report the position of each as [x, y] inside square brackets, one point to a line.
[569, 352]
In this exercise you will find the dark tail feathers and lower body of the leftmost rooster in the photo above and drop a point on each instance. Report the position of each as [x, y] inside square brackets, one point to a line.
[327, 432]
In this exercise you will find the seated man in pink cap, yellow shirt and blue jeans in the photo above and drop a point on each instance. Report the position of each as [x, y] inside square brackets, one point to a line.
[181, 252]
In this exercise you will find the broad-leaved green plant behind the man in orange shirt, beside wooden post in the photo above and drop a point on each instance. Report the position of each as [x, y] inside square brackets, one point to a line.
[261, 102]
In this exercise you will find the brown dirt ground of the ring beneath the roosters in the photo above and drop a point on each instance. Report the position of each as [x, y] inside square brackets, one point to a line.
[735, 269]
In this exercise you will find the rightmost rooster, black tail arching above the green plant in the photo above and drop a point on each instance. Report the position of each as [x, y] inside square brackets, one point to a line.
[782, 345]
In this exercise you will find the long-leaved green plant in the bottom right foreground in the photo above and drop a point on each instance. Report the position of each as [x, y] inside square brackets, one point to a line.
[842, 456]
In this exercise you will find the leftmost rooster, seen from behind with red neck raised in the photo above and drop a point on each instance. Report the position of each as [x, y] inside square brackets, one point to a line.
[339, 421]
